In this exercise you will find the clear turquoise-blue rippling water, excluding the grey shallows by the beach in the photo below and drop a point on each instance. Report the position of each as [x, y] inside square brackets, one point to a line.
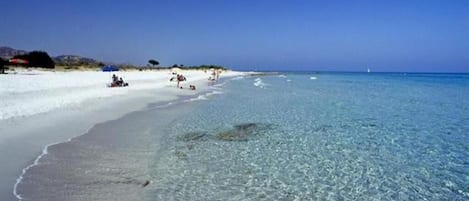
[321, 137]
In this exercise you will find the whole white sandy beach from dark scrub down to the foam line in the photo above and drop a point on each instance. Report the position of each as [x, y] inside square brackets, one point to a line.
[38, 108]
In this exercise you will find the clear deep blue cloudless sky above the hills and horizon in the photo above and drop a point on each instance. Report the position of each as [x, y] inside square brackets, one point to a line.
[395, 35]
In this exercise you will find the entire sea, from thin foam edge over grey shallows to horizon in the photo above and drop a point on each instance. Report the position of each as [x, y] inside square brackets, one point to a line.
[275, 136]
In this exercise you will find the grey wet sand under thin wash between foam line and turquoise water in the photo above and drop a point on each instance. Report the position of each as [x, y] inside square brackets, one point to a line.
[110, 162]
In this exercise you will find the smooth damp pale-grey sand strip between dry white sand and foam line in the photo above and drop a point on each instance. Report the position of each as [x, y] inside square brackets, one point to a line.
[48, 128]
